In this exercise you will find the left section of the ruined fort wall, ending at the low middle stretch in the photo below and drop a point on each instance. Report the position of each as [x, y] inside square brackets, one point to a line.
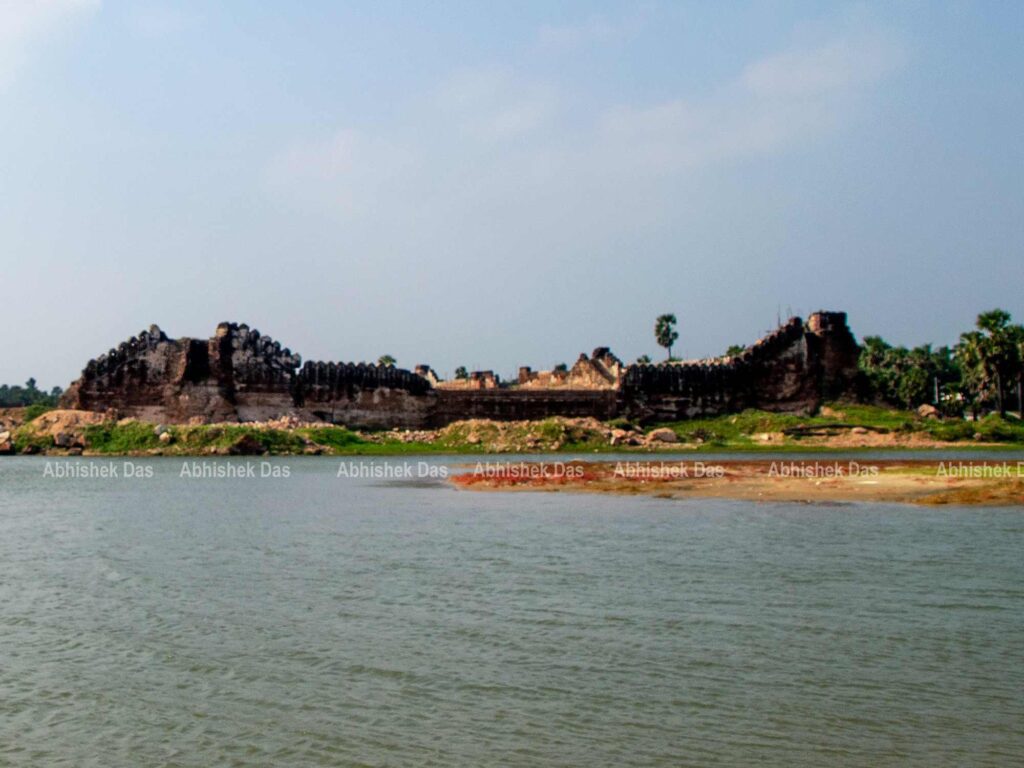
[241, 375]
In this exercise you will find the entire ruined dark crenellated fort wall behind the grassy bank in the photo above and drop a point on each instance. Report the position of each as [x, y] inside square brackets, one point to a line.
[242, 375]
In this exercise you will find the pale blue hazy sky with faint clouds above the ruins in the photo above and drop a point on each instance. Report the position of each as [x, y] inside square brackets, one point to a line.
[496, 185]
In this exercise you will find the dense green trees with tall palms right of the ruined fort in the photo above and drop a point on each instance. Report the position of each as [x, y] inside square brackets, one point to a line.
[984, 371]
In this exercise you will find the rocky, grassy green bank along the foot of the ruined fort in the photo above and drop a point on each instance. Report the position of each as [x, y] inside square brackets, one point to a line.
[840, 428]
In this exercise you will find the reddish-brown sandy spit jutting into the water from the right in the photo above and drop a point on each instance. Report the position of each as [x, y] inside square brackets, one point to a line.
[910, 482]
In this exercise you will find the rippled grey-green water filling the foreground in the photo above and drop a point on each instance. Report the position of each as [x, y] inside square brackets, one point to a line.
[317, 621]
